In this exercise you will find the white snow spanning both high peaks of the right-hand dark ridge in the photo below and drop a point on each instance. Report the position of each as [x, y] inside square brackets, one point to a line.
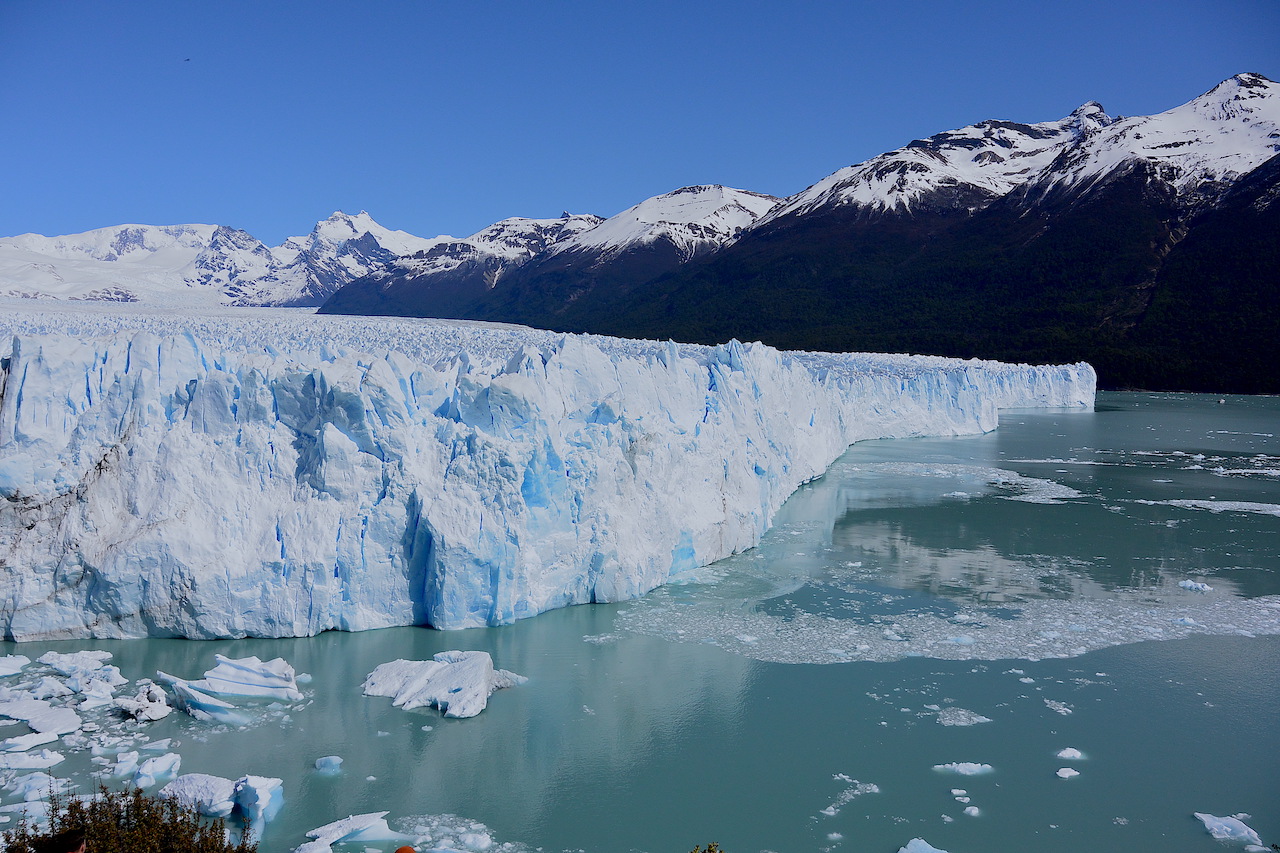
[1217, 138]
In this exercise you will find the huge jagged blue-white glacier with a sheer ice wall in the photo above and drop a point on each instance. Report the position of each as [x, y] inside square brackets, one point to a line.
[275, 473]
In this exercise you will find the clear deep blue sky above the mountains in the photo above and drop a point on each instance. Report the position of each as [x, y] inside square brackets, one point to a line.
[445, 117]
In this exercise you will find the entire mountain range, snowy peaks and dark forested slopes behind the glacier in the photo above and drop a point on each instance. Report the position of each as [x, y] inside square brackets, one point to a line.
[1149, 247]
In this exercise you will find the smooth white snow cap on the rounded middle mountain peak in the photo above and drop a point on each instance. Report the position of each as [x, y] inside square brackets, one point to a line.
[694, 220]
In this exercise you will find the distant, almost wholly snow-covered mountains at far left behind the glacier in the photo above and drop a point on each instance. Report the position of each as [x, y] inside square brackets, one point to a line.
[200, 264]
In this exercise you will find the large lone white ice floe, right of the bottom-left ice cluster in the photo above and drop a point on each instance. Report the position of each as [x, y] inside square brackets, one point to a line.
[458, 683]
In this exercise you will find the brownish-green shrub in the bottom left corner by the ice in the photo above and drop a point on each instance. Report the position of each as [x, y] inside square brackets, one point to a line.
[131, 822]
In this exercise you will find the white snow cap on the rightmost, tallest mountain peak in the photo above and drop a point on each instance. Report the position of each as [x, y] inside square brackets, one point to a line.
[1217, 138]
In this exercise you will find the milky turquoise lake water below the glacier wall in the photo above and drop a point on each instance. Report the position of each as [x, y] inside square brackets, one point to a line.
[990, 600]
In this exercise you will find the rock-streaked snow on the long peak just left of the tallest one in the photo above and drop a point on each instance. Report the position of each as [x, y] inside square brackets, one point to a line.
[957, 168]
